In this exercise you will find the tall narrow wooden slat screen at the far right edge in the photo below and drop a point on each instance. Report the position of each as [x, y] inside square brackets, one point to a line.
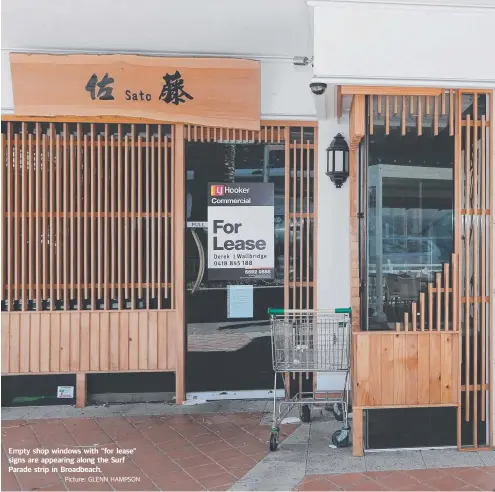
[474, 202]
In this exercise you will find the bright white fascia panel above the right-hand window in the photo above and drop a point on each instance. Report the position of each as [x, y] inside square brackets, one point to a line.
[371, 43]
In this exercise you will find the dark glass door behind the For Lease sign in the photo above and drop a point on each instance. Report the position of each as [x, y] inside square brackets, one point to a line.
[226, 354]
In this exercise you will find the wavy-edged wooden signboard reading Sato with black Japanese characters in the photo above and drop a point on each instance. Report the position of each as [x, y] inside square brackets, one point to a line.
[203, 91]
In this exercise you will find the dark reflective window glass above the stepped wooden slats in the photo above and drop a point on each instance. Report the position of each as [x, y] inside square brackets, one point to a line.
[409, 214]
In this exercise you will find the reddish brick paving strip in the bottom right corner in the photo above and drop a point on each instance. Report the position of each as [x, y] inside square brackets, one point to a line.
[468, 478]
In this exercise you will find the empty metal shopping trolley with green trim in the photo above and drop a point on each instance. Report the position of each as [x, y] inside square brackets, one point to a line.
[311, 341]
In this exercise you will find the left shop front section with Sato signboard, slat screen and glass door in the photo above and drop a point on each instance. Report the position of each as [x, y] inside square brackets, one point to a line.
[113, 261]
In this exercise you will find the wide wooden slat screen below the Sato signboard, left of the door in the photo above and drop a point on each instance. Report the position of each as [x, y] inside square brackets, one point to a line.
[86, 216]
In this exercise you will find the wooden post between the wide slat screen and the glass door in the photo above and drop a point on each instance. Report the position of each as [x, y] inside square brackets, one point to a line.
[178, 164]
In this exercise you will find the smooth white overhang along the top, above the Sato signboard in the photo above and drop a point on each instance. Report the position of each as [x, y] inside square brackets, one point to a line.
[278, 28]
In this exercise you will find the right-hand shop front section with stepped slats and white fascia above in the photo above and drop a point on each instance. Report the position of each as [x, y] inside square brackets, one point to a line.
[420, 197]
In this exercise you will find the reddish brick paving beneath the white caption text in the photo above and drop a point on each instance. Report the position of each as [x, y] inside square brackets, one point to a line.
[173, 452]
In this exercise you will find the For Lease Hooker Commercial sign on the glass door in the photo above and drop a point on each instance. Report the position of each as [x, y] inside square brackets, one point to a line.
[240, 231]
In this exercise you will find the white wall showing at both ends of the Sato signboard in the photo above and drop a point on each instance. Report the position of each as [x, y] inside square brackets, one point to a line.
[285, 92]
